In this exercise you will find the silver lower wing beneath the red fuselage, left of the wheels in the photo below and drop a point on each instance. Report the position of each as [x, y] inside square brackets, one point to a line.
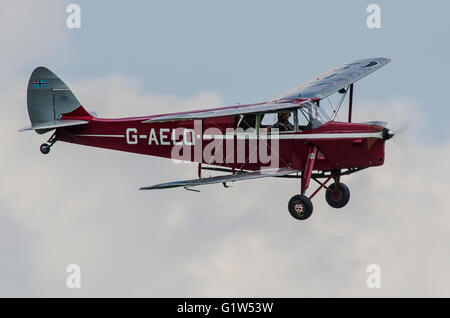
[237, 176]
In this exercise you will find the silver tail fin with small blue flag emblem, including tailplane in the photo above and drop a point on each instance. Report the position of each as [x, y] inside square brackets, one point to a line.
[48, 98]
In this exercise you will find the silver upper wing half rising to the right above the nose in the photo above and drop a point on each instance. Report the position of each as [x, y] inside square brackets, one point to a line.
[332, 81]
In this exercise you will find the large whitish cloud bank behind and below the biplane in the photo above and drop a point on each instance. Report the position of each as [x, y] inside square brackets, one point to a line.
[81, 205]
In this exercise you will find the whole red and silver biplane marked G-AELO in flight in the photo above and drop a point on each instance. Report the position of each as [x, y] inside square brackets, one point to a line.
[288, 136]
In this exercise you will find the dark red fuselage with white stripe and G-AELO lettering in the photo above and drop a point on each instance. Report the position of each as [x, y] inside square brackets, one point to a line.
[340, 145]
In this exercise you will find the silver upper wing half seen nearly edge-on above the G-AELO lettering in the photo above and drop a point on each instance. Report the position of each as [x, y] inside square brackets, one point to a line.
[226, 111]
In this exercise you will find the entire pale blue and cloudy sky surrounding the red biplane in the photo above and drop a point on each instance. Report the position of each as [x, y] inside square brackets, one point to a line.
[80, 205]
